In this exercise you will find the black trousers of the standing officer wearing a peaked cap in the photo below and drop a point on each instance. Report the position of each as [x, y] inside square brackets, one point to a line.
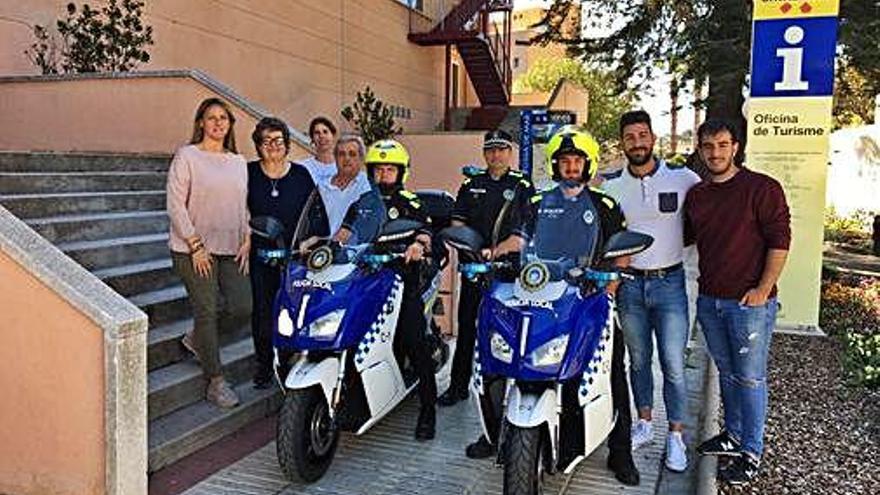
[462, 361]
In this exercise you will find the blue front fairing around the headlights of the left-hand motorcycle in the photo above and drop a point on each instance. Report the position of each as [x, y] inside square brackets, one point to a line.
[362, 295]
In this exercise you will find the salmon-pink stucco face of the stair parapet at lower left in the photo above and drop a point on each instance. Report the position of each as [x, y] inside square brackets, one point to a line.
[52, 382]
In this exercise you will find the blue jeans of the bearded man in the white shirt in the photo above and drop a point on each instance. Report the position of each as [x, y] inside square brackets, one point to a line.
[656, 306]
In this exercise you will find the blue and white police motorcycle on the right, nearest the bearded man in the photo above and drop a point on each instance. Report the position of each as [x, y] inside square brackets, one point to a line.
[543, 352]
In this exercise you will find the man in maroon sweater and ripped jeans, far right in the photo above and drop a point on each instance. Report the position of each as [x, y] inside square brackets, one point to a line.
[740, 222]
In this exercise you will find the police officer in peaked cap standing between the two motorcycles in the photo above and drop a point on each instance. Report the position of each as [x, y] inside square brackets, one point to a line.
[494, 202]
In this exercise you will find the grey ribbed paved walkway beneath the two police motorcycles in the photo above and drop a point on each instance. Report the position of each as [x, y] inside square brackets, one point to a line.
[387, 460]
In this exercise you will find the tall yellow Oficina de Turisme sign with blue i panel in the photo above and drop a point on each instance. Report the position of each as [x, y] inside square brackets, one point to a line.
[789, 125]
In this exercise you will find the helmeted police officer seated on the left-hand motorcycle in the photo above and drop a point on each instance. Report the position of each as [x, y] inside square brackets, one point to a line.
[388, 165]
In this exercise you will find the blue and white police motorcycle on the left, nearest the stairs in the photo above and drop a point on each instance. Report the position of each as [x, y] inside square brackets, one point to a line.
[337, 310]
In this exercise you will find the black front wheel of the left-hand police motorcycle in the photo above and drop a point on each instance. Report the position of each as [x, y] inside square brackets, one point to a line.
[306, 439]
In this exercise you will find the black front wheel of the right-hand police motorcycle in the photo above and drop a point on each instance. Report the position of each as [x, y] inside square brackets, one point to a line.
[523, 460]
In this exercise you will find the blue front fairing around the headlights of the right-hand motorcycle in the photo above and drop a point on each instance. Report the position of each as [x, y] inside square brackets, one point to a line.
[582, 318]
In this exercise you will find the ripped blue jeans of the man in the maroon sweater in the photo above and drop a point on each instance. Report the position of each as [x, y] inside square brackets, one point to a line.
[739, 338]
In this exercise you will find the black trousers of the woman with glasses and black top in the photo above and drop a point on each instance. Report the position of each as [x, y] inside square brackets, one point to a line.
[265, 281]
